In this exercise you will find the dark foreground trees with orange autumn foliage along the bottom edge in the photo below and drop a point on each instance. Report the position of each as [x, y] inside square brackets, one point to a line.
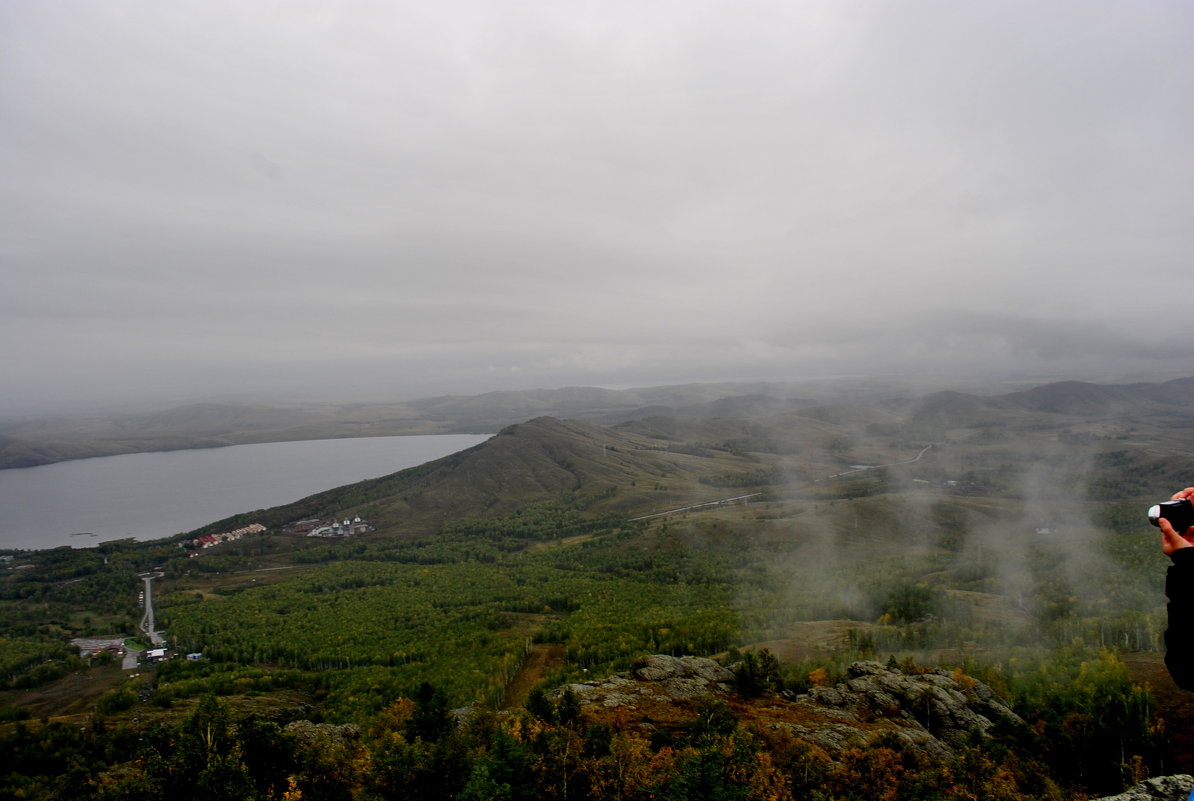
[1086, 732]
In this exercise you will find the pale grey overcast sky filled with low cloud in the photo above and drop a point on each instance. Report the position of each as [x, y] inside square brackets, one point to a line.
[282, 198]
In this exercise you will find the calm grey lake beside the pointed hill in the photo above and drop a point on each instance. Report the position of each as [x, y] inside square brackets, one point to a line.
[151, 496]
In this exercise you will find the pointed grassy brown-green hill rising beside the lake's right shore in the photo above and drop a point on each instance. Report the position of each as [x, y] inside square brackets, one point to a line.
[586, 466]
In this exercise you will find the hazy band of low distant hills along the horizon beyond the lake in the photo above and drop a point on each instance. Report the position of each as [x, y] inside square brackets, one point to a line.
[747, 412]
